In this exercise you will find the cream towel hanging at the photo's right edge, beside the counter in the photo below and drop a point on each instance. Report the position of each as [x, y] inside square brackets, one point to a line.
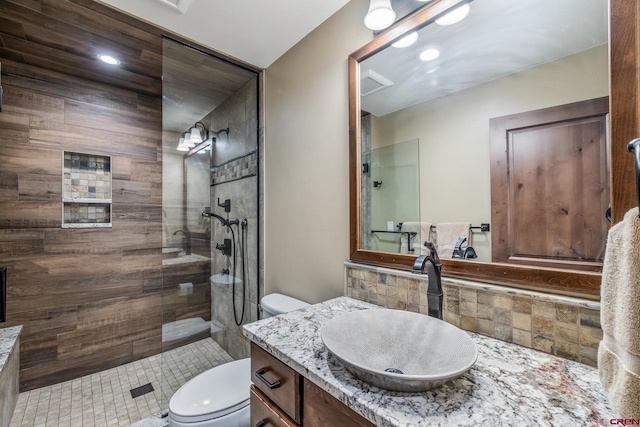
[619, 351]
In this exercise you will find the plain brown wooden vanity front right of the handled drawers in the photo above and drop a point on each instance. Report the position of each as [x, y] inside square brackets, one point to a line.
[321, 410]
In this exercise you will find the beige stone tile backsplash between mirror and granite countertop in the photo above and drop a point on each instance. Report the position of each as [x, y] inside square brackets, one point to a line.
[563, 326]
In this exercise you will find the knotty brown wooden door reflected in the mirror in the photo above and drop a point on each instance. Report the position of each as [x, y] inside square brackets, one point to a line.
[550, 186]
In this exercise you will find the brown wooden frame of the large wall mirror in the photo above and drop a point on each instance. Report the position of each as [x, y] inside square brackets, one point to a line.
[624, 108]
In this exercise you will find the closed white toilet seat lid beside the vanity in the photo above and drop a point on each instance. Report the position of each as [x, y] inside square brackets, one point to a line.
[214, 393]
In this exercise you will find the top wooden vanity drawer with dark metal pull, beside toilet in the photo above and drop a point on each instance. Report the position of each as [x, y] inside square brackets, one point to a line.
[277, 381]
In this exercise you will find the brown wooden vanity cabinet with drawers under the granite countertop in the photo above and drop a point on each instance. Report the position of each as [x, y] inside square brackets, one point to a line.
[281, 397]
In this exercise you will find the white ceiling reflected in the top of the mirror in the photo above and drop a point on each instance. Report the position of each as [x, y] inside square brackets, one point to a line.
[497, 38]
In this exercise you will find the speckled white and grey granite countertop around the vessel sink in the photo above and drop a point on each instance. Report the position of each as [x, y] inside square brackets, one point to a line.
[509, 384]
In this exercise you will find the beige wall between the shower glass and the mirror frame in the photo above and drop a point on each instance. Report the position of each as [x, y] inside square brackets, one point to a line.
[306, 157]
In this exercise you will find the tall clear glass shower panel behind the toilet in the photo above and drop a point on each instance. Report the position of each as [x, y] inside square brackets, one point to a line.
[210, 212]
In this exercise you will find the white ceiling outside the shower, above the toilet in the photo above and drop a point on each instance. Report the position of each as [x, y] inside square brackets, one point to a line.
[256, 32]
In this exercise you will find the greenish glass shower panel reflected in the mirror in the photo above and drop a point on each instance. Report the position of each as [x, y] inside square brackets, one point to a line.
[391, 197]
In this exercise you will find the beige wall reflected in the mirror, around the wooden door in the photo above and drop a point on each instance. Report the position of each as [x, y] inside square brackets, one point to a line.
[454, 133]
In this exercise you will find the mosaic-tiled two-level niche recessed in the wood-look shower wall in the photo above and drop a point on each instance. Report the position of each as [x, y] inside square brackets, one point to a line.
[86, 191]
